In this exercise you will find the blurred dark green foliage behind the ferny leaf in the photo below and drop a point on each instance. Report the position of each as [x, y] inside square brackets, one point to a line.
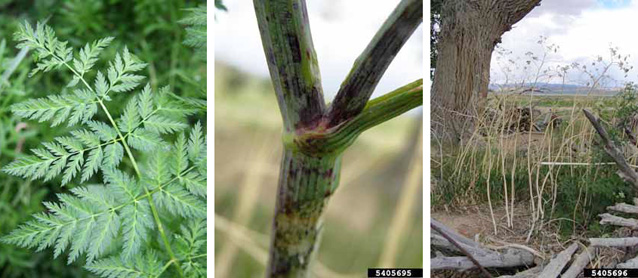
[149, 28]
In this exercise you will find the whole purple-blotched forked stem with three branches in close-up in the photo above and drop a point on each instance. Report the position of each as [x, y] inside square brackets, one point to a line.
[315, 134]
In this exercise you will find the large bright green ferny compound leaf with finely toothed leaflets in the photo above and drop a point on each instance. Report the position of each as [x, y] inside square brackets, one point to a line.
[114, 225]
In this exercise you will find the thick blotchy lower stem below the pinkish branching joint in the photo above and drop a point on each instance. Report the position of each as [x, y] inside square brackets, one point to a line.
[305, 185]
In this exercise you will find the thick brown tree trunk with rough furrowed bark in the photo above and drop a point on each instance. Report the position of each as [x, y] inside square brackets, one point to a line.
[469, 32]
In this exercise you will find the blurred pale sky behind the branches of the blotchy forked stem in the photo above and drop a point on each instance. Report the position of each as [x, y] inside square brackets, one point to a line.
[341, 29]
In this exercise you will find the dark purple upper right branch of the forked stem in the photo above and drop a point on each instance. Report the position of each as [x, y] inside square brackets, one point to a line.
[375, 59]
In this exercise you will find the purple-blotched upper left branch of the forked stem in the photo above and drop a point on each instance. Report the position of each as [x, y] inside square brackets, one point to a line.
[294, 70]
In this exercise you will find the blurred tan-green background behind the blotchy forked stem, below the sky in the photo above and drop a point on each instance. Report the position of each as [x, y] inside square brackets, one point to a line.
[383, 166]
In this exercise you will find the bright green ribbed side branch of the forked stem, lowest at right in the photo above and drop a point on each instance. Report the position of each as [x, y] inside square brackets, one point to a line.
[377, 111]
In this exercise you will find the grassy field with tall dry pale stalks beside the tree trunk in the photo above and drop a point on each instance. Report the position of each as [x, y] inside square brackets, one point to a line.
[551, 182]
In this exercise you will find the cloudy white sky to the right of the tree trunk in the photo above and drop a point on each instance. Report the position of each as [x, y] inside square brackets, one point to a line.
[583, 30]
